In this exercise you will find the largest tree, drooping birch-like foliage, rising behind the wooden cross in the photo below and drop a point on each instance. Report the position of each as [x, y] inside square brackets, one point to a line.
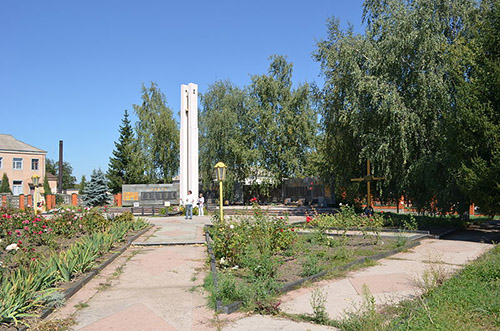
[388, 95]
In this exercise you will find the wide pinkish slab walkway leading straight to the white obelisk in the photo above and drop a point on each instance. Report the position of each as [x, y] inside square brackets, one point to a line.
[158, 287]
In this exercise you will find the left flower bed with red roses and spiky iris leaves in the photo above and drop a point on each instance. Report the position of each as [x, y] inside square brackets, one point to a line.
[39, 253]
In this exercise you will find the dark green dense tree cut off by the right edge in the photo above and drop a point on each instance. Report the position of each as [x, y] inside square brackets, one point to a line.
[476, 122]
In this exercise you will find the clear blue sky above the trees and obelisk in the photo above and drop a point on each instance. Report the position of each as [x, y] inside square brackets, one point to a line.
[69, 69]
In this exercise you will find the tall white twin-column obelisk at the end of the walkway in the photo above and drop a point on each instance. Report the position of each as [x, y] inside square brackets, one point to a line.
[188, 175]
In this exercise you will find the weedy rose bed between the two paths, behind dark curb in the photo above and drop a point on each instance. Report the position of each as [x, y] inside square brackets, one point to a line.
[258, 255]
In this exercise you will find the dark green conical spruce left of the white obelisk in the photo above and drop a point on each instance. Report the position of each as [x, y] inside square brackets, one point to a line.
[120, 164]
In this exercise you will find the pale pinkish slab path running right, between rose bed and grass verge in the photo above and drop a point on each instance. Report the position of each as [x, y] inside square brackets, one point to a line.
[401, 276]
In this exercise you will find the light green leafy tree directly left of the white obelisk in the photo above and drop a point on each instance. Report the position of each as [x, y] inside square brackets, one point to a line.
[157, 137]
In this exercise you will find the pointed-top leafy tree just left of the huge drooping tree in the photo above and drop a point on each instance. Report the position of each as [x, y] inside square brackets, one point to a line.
[284, 122]
